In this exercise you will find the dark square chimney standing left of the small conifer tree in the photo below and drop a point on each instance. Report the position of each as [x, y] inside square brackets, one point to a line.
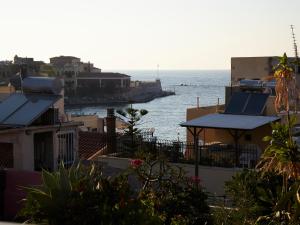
[111, 130]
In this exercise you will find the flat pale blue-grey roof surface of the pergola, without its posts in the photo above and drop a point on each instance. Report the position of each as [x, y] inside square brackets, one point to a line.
[229, 121]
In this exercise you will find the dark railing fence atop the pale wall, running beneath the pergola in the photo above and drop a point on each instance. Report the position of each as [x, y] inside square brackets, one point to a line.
[219, 155]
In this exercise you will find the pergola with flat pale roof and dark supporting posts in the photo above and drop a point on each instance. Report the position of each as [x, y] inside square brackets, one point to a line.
[236, 125]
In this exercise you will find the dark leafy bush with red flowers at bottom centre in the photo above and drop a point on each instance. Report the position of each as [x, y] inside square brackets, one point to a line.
[177, 199]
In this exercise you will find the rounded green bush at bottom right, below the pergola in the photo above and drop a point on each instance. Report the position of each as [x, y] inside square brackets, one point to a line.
[253, 195]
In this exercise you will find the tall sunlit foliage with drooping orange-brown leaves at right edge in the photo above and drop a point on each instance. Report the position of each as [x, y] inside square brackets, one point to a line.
[282, 157]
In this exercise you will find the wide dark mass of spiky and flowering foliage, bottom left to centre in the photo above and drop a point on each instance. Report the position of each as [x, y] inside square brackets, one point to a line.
[82, 195]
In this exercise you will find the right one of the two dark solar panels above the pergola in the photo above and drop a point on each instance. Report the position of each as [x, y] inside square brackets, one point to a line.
[256, 104]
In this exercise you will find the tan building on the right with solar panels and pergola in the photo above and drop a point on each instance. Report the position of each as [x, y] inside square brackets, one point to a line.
[233, 132]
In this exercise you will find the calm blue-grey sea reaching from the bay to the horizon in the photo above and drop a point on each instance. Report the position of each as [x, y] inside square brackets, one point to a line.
[166, 113]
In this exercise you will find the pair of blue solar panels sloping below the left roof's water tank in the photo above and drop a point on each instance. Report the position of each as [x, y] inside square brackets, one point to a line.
[30, 107]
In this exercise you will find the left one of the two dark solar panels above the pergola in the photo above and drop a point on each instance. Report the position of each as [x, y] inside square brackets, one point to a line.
[237, 103]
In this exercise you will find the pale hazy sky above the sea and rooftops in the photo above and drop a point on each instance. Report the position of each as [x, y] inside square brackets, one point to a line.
[140, 34]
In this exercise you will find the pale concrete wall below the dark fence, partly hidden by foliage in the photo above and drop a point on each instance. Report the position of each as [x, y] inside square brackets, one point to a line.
[212, 178]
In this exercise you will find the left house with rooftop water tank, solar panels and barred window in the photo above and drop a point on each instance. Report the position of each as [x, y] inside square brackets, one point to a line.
[34, 133]
